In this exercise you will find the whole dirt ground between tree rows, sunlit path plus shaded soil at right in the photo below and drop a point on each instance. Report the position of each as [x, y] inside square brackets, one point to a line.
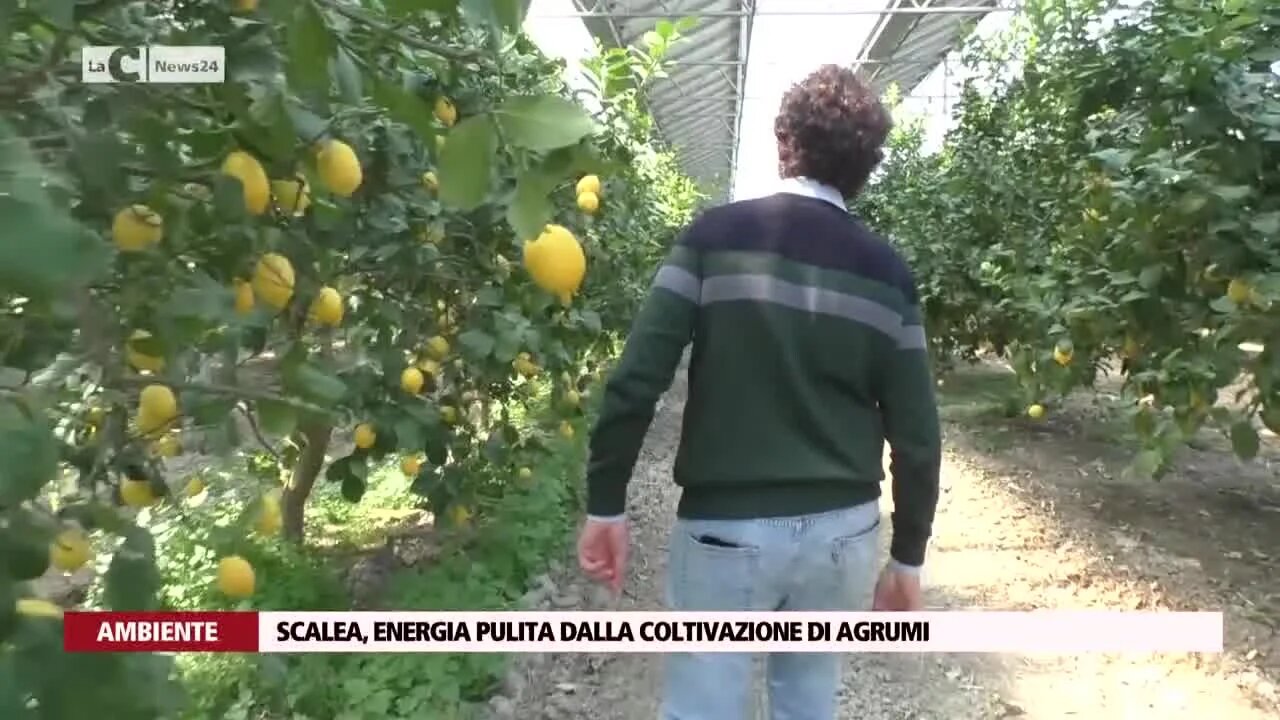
[1031, 517]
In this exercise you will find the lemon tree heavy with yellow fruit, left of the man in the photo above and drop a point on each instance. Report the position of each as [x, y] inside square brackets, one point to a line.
[377, 240]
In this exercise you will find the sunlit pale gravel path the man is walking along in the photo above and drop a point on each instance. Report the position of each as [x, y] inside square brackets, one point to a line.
[995, 548]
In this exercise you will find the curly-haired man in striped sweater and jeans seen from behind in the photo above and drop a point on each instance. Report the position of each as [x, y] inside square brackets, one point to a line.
[808, 356]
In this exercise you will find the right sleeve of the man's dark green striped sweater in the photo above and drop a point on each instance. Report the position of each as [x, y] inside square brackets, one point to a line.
[911, 416]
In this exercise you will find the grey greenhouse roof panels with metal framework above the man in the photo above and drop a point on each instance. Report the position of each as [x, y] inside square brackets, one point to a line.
[698, 110]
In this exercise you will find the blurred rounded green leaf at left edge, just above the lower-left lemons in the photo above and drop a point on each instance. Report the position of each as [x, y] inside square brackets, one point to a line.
[29, 454]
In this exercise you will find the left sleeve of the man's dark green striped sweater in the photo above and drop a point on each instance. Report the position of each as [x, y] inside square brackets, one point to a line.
[660, 334]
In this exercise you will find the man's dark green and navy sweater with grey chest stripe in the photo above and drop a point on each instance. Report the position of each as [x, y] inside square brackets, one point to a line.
[808, 356]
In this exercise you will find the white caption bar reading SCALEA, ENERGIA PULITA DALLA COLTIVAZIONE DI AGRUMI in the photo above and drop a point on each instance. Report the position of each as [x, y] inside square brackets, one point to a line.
[1057, 632]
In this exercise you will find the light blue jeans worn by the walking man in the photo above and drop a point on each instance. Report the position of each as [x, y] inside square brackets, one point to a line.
[811, 563]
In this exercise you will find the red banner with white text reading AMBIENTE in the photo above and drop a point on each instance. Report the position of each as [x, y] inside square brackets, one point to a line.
[161, 632]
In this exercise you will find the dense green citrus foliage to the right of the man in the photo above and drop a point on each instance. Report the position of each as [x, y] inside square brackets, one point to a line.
[1118, 198]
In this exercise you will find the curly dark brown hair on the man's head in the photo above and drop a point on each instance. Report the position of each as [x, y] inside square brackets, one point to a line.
[831, 129]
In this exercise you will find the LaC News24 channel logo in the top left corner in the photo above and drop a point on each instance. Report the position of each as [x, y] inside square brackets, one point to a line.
[170, 65]
